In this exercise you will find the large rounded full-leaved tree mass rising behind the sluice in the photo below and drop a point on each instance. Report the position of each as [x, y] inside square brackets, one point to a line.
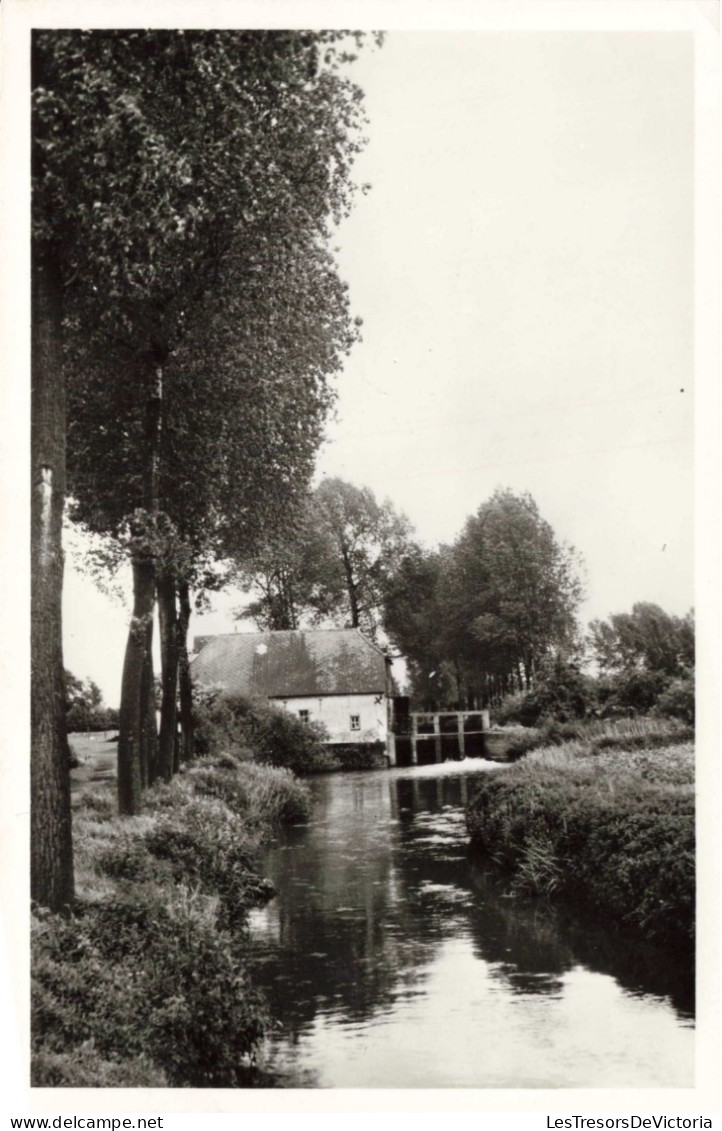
[478, 618]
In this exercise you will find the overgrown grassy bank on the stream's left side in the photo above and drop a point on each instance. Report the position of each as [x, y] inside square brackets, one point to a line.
[147, 985]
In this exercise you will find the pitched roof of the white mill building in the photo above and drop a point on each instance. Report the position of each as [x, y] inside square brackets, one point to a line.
[280, 666]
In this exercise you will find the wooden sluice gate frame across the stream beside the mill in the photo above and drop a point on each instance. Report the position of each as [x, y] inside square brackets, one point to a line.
[425, 738]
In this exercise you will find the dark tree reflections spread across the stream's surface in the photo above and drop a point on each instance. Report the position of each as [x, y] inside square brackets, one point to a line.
[382, 878]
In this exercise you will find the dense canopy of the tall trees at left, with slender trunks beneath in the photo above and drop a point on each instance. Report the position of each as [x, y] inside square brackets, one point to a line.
[185, 191]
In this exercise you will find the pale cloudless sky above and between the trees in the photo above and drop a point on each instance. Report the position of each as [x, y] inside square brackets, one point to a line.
[523, 265]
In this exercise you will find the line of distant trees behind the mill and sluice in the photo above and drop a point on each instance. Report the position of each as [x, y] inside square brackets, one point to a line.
[491, 620]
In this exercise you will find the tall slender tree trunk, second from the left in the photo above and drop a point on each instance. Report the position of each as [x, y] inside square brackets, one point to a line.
[137, 740]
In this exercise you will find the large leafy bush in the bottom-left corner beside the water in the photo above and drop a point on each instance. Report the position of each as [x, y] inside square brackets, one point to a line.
[141, 982]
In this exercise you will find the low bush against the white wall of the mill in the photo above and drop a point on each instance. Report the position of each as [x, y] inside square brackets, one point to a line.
[256, 731]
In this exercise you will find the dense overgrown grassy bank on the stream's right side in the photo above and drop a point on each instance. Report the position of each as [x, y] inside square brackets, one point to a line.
[607, 819]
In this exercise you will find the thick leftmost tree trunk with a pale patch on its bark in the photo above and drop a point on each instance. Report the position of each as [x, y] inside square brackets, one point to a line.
[51, 835]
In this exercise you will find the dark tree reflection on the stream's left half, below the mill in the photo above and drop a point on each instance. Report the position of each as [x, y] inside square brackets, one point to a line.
[341, 940]
